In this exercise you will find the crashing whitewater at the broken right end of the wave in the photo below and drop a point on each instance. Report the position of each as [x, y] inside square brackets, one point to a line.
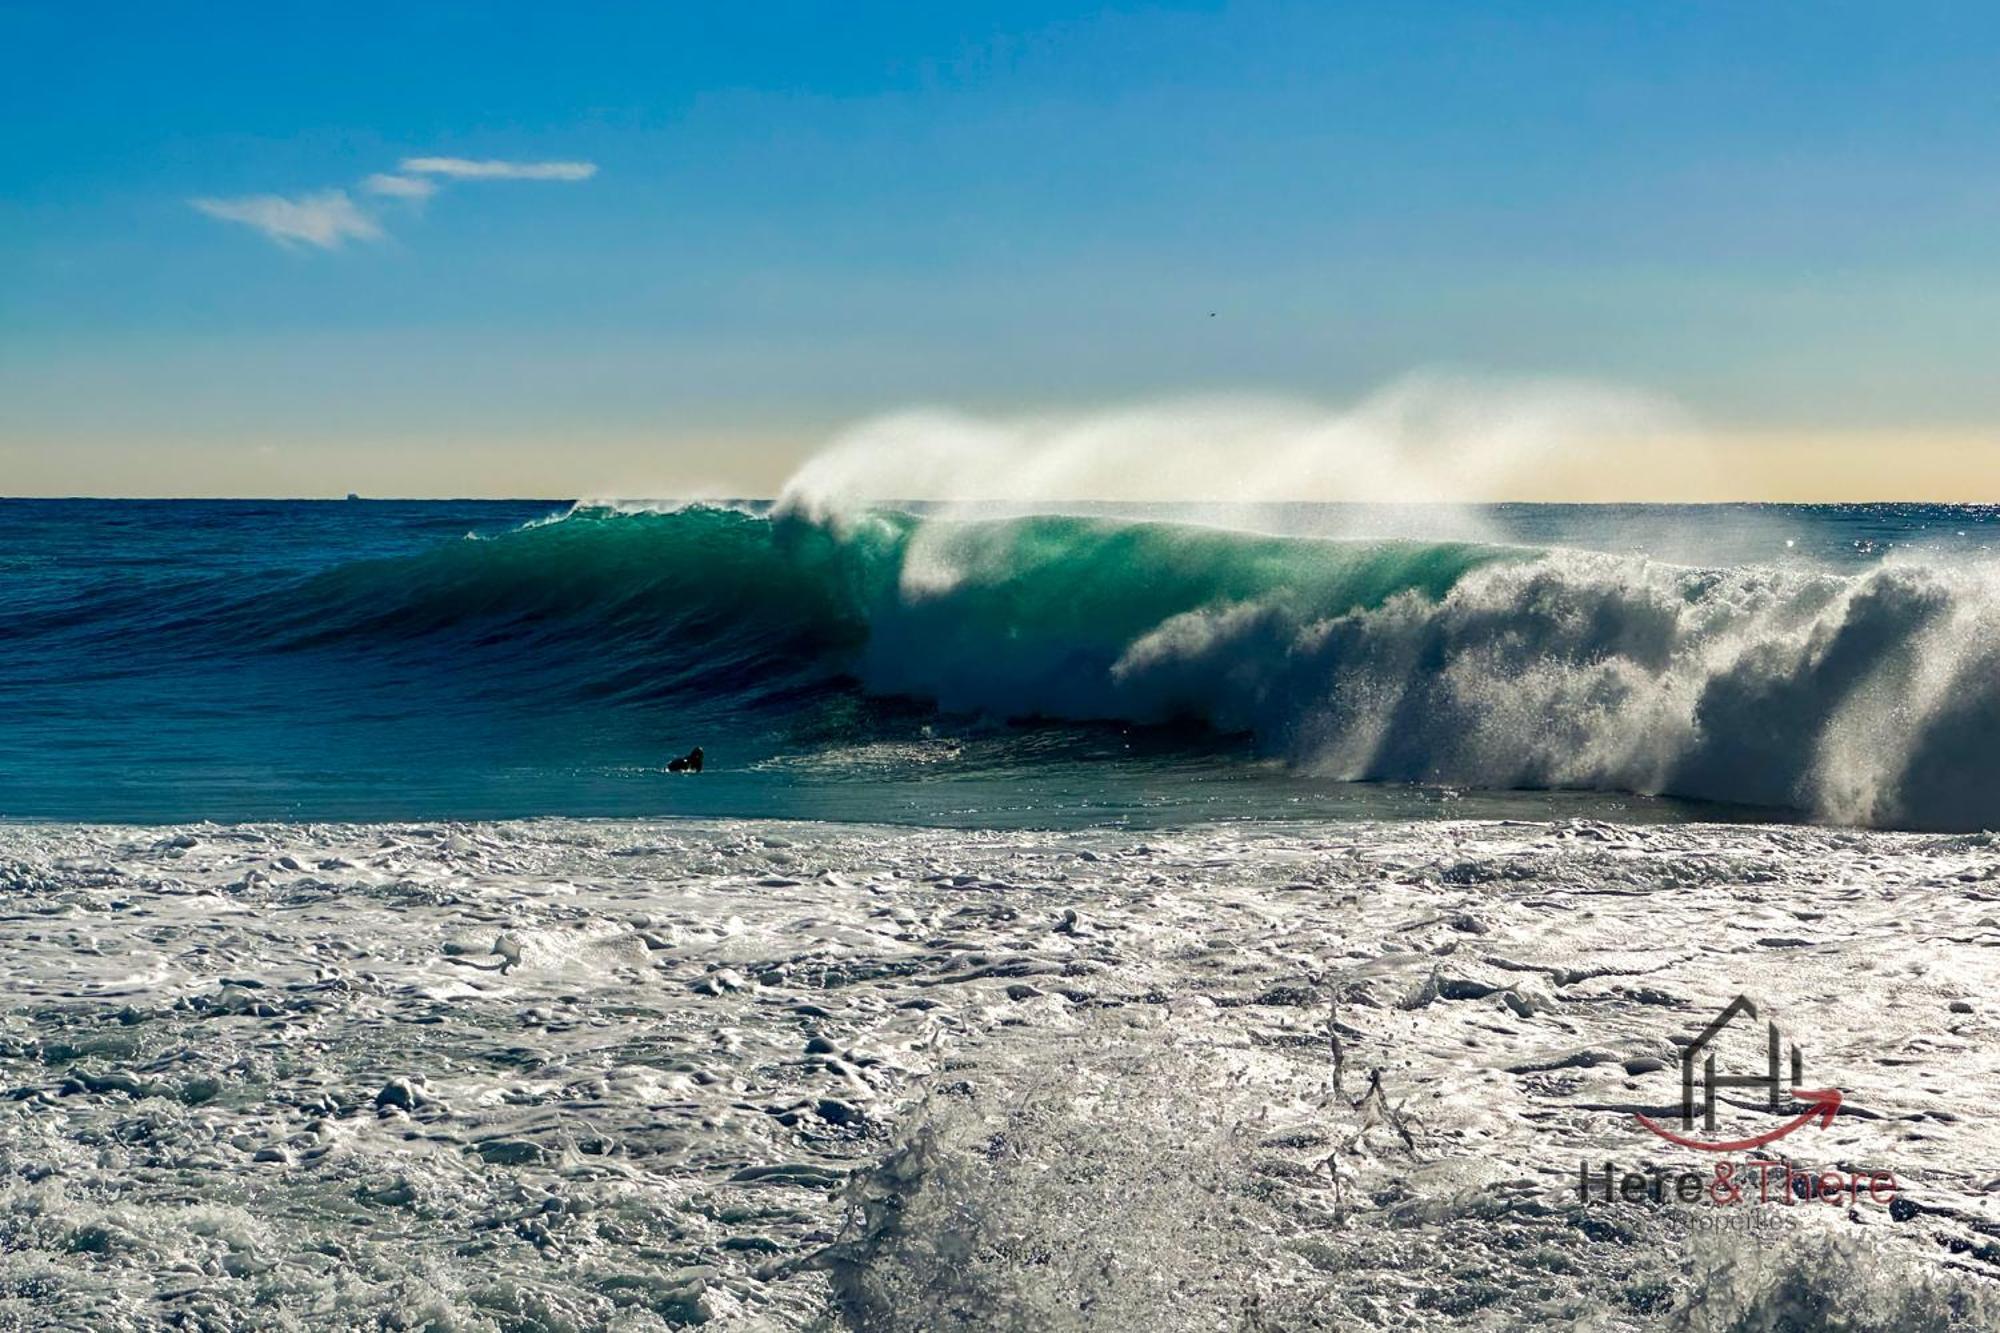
[1871, 700]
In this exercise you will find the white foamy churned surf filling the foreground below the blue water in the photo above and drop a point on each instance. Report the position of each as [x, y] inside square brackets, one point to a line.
[757, 1076]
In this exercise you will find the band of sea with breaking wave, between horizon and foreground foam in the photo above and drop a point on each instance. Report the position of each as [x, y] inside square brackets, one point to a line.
[167, 661]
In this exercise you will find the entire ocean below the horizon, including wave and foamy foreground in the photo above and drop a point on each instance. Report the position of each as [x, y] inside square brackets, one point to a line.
[1285, 918]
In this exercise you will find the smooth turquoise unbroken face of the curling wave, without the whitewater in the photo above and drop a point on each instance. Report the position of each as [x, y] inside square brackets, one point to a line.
[735, 609]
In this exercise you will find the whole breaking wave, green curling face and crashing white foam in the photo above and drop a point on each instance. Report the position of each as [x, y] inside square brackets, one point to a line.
[1861, 698]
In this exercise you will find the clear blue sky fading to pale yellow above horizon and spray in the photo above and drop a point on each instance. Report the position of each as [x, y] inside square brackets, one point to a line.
[1783, 217]
